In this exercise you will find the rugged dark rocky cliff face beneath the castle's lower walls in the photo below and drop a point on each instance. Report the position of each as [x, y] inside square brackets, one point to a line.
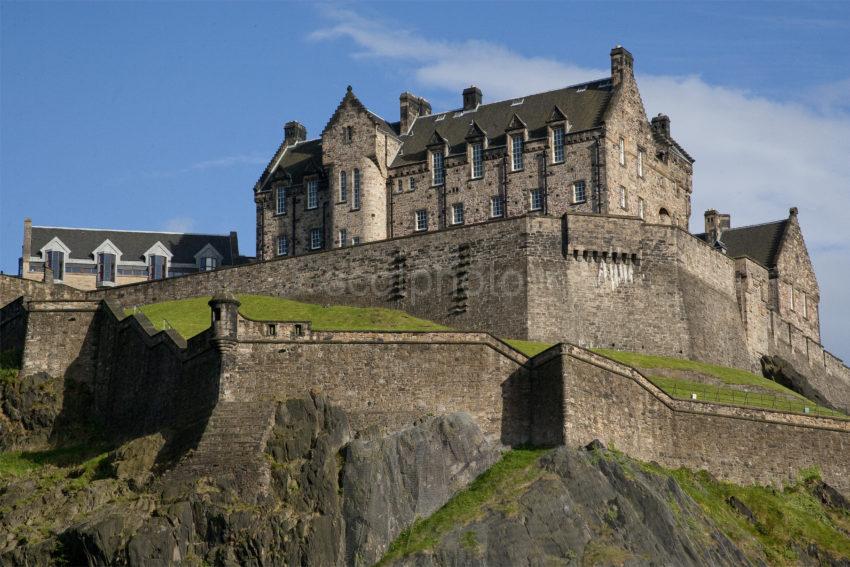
[330, 499]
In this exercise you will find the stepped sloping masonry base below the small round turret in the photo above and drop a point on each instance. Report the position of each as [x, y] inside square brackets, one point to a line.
[231, 448]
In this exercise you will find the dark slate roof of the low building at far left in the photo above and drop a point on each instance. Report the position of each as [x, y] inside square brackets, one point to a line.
[83, 241]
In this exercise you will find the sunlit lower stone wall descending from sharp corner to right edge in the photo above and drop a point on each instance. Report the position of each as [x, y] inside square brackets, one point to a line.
[607, 401]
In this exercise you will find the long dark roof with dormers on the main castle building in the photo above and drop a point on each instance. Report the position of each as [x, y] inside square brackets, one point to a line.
[584, 104]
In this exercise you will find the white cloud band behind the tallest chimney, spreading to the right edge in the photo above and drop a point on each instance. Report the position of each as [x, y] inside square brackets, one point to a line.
[755, 157]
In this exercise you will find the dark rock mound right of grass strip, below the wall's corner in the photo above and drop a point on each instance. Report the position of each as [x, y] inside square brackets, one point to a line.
[588, 509]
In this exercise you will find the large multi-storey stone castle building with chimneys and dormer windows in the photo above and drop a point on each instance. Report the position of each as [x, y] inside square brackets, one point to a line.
[585, 148]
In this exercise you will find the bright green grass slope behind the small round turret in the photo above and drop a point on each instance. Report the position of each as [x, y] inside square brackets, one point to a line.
[192, 316]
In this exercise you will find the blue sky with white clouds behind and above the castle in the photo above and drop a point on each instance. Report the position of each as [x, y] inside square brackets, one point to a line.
[162, 115]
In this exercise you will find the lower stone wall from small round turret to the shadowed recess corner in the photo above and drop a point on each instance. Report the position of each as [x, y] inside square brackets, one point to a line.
[390, 379]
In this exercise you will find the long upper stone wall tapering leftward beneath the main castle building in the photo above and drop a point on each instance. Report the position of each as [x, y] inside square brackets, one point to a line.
[469, 278]
